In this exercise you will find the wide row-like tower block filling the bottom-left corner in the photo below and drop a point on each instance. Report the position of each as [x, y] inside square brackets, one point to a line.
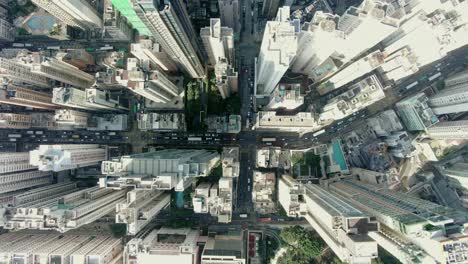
[52, 247]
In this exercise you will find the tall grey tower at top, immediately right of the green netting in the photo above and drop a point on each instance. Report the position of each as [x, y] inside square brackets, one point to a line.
[171, 27]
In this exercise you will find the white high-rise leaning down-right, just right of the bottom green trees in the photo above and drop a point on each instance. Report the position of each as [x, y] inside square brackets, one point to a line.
[344, 227]
